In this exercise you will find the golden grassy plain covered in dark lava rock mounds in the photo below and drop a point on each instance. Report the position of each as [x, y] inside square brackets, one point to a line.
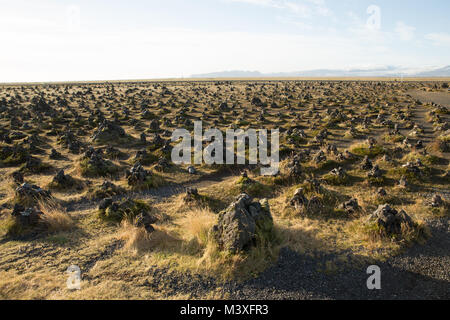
[86, 180]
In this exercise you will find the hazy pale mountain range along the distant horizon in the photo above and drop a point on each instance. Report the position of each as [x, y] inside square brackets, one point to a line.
[388, 71]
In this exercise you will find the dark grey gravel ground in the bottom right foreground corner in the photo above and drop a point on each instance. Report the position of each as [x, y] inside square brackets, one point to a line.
[422, 272]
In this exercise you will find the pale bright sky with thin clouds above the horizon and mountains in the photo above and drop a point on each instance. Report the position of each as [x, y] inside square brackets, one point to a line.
[45, 40]
